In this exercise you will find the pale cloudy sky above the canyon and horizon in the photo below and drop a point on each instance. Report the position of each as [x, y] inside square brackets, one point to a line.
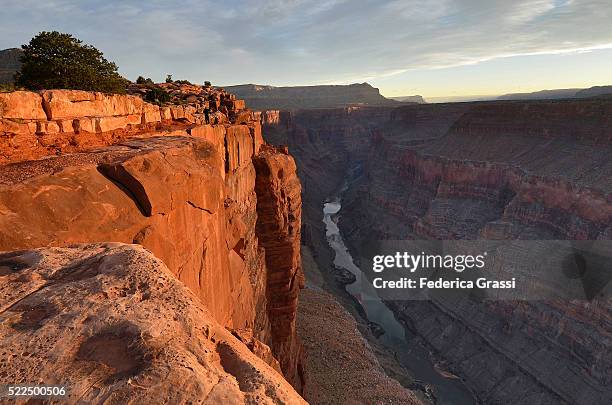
[429, 47]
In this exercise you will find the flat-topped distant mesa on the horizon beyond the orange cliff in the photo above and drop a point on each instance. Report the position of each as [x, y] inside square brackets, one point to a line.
[262, 97]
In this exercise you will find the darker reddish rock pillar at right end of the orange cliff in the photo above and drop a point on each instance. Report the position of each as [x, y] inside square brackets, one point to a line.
[279, 209]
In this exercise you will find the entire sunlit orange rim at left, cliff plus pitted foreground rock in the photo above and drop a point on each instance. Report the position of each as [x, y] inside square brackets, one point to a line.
[203, 222]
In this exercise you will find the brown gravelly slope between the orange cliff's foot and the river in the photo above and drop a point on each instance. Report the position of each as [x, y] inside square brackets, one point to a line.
[332, 336]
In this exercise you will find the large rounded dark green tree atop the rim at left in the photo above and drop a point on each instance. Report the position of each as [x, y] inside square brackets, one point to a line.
[53, 60]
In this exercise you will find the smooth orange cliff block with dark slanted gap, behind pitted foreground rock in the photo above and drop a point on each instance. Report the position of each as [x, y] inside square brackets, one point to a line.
[153, 192]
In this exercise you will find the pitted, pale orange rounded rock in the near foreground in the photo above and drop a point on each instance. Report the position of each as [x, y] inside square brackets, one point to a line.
[112, 322]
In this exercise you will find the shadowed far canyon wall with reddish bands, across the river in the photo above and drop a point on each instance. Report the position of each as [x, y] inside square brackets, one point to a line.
[503, 170]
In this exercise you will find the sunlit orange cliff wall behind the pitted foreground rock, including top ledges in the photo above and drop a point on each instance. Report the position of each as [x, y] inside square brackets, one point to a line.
[215, 204]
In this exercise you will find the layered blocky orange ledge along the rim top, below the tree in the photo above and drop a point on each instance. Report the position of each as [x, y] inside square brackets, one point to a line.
[84, 119]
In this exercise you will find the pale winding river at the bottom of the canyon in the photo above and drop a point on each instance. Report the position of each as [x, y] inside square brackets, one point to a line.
[411, 353]
